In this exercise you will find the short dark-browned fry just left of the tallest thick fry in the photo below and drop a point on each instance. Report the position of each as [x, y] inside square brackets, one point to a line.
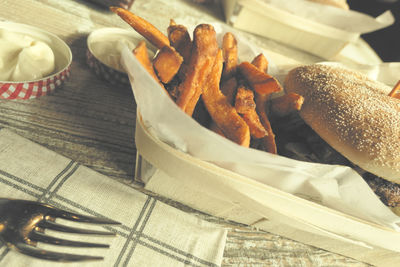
[179, 38]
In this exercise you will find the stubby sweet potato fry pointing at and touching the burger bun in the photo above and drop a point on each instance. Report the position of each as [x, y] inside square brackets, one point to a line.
[283, 105]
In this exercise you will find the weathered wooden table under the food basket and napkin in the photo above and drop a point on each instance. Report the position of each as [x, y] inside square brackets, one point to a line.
[93, 122]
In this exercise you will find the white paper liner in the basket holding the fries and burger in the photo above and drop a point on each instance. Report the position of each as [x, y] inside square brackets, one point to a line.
[337, 187]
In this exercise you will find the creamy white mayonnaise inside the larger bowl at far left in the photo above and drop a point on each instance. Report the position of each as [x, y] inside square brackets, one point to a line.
[24, 58]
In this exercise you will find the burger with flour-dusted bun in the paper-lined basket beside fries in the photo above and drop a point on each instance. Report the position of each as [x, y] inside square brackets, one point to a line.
[348, 119]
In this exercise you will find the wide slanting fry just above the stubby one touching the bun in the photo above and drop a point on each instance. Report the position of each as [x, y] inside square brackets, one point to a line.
[259, 81]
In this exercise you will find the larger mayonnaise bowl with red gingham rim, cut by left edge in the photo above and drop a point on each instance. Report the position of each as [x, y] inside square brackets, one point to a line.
[33, 62]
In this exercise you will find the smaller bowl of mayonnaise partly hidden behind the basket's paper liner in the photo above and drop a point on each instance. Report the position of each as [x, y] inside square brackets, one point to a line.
[104, 53]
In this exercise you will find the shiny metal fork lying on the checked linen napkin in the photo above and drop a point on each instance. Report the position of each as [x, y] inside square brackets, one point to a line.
[22, 226]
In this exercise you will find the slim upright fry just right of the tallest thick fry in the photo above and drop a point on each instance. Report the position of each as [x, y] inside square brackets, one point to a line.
[229, 51]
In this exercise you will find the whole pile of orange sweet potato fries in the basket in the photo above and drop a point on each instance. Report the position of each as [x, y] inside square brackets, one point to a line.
[207, 81]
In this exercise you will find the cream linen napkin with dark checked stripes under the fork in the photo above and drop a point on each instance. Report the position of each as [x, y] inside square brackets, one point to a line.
[151, 233]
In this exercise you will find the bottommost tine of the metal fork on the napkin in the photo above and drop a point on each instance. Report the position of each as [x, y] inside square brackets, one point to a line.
[53, 256]
